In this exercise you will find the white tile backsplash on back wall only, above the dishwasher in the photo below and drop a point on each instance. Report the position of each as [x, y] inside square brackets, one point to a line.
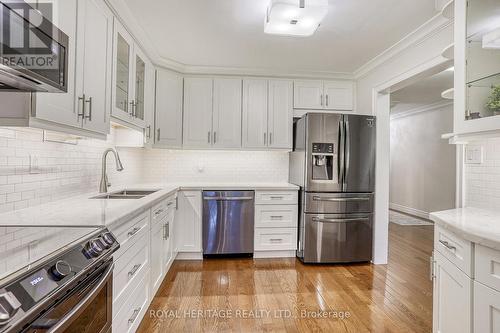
[215, 166]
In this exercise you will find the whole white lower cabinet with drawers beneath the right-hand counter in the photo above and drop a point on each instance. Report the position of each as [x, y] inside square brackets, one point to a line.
[466, 285]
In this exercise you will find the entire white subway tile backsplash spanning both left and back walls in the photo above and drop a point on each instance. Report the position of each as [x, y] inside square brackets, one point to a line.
[65, 170]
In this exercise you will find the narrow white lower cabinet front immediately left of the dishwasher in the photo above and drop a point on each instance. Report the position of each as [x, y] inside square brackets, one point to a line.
[188, 231]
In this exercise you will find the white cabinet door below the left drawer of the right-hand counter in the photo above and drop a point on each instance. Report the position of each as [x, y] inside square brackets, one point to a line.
[451, 299]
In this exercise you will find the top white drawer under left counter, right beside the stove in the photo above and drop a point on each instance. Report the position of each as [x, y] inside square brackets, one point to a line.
[128, 233]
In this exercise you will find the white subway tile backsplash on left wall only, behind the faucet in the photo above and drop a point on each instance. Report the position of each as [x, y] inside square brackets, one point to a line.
[65, 170]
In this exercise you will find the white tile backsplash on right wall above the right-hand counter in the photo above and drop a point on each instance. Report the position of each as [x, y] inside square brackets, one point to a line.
[482, 181]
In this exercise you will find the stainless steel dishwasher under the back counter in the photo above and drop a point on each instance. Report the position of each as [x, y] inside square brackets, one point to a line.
[228, 222]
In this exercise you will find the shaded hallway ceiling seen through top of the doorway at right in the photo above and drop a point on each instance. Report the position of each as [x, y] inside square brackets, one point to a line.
[424, 92]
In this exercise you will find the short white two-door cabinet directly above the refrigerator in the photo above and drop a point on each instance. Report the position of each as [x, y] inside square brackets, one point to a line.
[324, 95]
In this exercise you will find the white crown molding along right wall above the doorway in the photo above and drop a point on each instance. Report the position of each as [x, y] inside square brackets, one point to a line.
[416, 37]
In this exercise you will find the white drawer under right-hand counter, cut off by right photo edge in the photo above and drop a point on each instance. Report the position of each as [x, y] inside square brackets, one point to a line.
[487, 266]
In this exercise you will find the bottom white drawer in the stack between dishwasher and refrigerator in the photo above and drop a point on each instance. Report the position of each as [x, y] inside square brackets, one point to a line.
[270, 239]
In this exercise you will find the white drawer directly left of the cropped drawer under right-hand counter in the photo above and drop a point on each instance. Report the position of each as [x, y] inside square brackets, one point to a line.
[454, 248]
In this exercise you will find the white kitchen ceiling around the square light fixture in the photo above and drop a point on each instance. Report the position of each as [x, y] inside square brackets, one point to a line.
[230, 33]
